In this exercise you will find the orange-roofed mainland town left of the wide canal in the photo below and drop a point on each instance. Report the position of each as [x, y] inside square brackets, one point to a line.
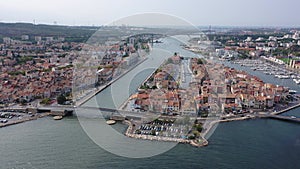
[40, 70]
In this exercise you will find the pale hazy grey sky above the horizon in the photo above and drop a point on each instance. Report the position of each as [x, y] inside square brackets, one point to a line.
[197, 12]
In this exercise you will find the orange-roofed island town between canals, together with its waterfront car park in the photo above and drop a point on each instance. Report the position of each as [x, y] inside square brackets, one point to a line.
[213, 91]
